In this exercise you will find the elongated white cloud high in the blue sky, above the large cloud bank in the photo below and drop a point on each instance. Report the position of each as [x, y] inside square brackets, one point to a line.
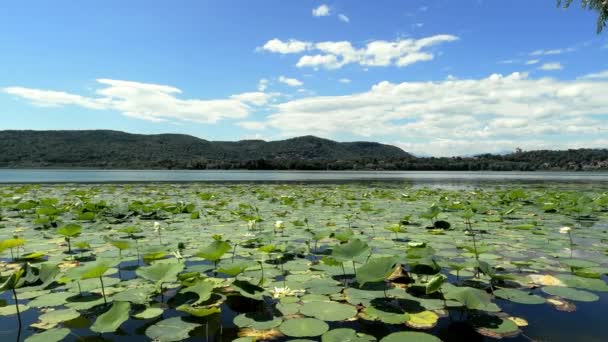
[336, 54]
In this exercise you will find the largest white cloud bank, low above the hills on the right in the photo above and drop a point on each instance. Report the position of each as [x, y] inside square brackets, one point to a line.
[469, 115]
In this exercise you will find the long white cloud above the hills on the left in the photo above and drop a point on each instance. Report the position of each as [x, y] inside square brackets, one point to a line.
[152, 102]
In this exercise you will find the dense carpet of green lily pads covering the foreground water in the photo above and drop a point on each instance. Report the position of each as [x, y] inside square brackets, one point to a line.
[259, 262]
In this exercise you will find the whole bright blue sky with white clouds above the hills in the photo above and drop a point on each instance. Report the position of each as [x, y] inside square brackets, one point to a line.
[432, 77]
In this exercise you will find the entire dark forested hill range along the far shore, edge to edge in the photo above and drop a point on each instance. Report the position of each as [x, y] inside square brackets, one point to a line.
[119, 150]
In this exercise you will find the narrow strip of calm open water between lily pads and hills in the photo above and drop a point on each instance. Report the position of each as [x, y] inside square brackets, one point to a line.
[117, 176]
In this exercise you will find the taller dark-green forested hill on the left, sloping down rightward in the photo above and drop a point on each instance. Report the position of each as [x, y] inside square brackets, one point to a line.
[113, 149]
